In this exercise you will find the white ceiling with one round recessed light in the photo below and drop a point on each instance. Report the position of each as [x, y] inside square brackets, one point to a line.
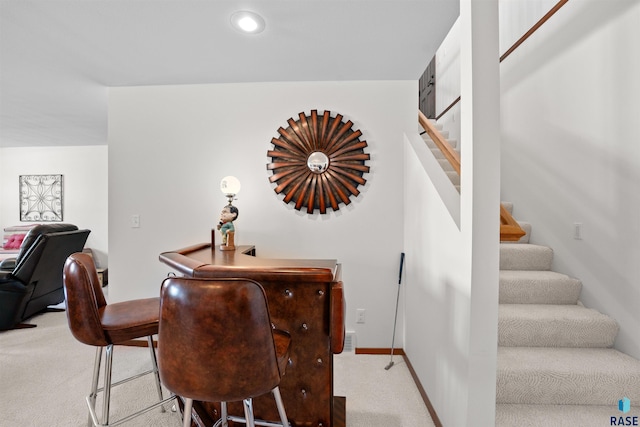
[58, 57]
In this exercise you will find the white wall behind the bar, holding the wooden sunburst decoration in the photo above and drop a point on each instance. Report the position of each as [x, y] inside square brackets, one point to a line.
[170, 146]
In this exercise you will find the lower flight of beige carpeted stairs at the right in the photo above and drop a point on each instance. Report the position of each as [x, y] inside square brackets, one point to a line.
[556, 364]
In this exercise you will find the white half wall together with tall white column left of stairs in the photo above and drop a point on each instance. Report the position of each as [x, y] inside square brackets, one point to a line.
[452, 272]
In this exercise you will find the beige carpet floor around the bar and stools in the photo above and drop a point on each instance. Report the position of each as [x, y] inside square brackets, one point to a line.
[45, 375]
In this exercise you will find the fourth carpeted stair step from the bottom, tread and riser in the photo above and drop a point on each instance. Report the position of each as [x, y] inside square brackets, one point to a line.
[538, 287]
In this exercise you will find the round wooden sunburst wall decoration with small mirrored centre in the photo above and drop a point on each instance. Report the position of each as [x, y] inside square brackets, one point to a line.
[318, 161]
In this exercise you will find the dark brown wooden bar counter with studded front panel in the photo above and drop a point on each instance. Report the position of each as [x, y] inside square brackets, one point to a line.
[306, 299]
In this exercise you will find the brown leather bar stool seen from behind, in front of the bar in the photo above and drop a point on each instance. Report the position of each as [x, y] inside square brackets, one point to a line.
[216, 343]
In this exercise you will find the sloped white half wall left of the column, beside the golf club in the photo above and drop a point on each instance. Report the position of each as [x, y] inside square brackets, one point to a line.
[437, 286]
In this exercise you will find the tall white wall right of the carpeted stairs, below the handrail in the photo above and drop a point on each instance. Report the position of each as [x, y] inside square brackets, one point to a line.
[571, 152]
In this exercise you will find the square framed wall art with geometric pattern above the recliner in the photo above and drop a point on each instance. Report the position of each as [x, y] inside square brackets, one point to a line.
[41, 198]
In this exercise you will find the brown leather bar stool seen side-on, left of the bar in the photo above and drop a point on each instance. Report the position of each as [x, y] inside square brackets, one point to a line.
[94, 322]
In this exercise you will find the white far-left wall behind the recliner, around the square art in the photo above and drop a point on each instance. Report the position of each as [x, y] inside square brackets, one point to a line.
[85, 187]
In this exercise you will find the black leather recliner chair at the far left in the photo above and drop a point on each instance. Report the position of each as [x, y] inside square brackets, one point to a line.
[35, 279]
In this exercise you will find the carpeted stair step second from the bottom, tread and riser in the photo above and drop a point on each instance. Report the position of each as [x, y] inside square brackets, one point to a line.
[566, 376]
